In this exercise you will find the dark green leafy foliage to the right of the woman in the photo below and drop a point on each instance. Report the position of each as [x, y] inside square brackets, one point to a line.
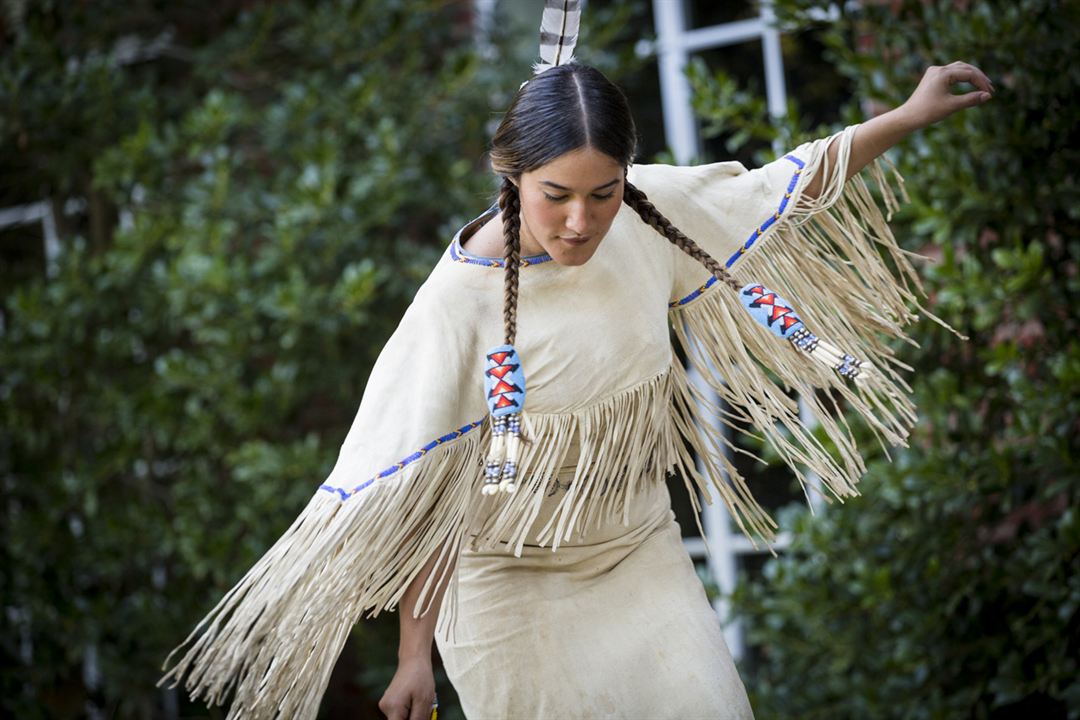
[952, 588]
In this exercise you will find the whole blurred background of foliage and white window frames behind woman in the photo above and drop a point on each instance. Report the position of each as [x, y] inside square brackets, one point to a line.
[214, 213]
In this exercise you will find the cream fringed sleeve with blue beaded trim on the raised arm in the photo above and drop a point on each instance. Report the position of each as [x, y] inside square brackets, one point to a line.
[836, 263]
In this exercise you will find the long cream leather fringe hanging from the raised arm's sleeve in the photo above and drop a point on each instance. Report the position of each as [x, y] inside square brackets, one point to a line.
[838, 262]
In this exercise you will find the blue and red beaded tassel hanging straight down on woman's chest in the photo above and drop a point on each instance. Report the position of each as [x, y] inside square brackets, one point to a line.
[505, 386]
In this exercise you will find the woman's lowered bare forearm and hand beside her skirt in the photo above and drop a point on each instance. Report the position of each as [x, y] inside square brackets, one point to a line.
[412, 691]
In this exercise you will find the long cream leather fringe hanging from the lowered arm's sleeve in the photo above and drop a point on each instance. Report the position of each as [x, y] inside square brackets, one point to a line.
[275, 637]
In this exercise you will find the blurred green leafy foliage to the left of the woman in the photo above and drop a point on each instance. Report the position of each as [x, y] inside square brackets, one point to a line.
[174, 396]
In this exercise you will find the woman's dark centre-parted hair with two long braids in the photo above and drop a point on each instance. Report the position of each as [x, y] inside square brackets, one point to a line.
[563, 110]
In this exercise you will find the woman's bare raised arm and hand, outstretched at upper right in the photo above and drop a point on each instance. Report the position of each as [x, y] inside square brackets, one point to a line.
[931, 102]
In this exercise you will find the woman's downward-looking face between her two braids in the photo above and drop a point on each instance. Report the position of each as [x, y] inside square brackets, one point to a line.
[569, 206]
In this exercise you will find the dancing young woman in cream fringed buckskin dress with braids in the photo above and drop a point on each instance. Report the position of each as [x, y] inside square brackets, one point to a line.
[566, 592]
